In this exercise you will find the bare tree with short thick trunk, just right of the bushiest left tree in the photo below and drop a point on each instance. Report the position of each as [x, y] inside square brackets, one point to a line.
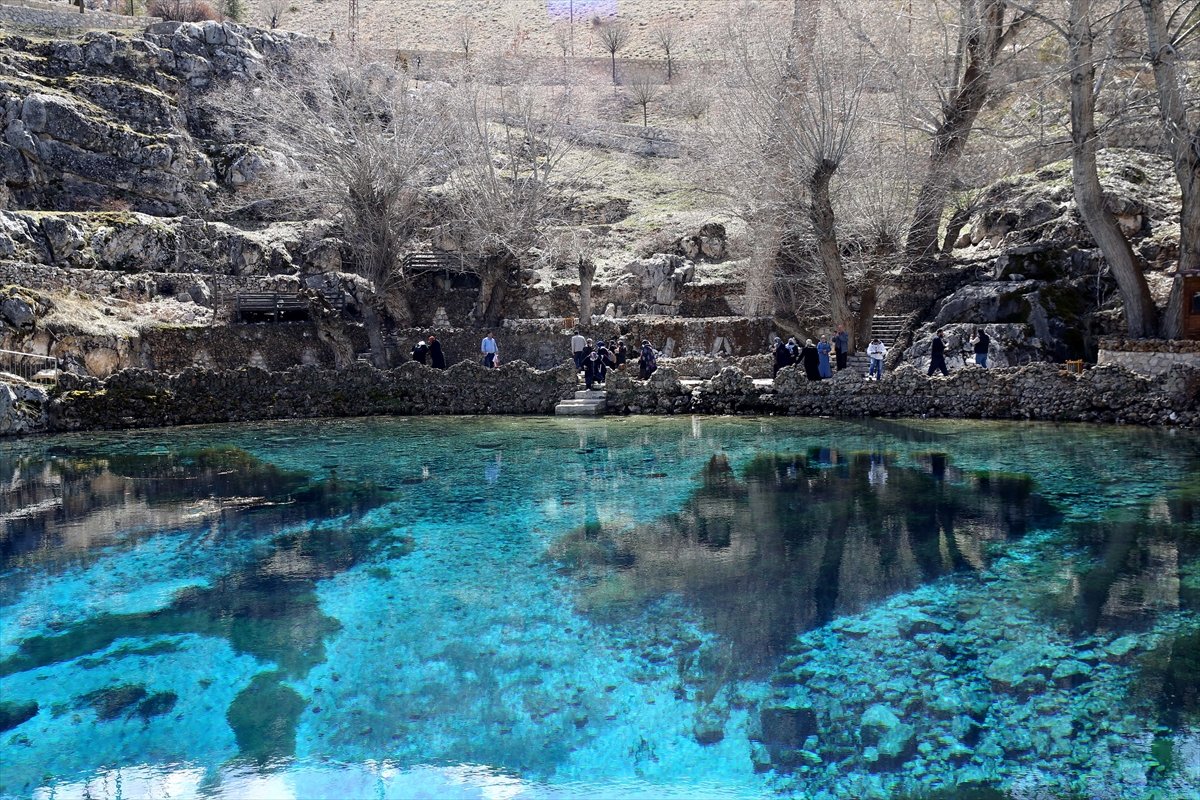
[512, 179]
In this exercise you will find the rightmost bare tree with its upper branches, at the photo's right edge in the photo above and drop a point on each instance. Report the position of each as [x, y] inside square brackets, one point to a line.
[1167, 37]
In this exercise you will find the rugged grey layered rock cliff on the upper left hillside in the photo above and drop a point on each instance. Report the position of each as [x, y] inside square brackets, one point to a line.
[111, 121]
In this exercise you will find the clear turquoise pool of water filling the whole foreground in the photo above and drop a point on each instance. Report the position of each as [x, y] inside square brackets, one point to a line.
[638, 607]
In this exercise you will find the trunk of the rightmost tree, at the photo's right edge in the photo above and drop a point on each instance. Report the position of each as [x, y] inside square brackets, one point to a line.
[1185, 149]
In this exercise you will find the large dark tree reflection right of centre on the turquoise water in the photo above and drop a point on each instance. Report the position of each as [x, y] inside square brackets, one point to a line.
[801, 539]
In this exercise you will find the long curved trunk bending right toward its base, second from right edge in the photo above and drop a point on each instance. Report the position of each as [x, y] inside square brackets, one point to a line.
[1139, 308]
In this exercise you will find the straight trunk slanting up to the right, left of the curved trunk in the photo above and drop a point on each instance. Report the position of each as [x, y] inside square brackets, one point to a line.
[959, 115]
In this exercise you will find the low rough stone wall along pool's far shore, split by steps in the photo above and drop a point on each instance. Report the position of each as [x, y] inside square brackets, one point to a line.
[139, 399]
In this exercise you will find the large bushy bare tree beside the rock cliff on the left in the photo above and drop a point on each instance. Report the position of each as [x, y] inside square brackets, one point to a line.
[353, 145]
